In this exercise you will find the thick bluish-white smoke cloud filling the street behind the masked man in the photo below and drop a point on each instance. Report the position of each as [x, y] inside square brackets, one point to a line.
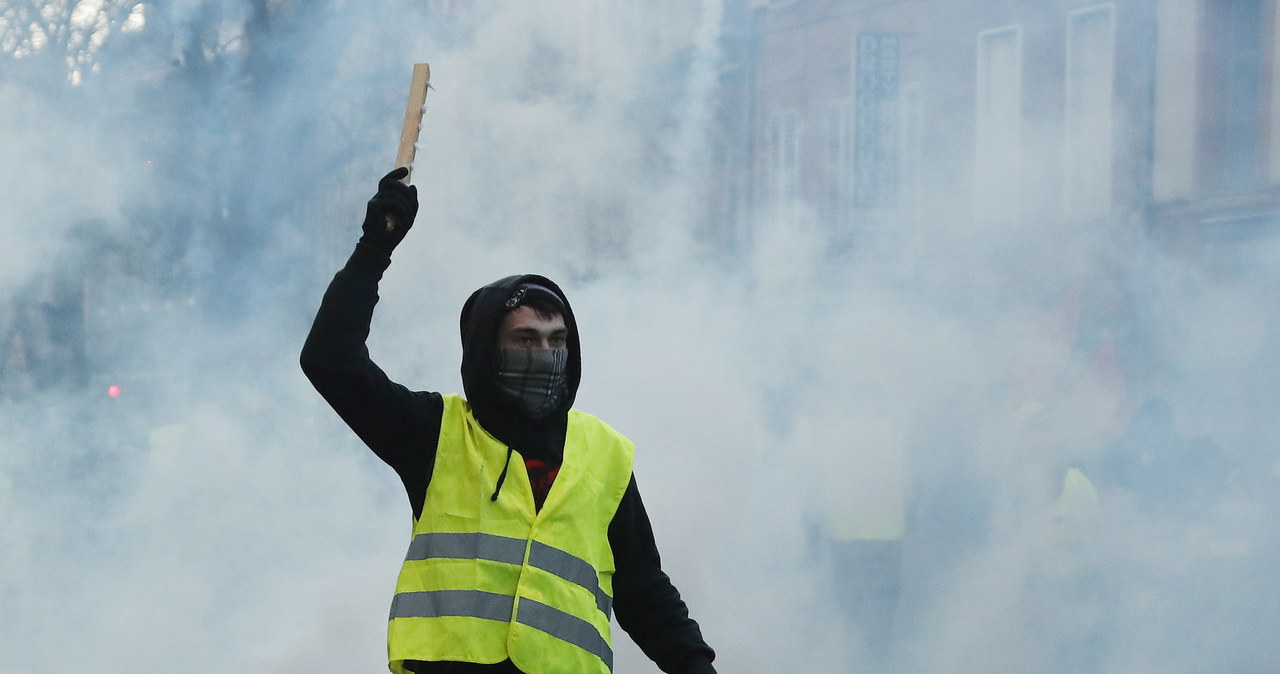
[218, 517]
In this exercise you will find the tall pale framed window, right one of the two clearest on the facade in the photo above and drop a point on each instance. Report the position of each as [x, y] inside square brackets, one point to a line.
[1089, 127]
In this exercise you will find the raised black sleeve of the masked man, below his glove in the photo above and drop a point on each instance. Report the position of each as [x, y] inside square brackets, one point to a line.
[401, 427]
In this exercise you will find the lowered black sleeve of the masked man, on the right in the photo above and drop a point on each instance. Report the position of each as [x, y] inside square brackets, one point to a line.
[646, 602]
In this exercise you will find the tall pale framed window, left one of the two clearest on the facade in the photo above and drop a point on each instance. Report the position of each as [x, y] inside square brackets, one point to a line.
[998, 135]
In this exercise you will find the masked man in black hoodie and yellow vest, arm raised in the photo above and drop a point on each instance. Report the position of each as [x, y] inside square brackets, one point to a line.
[529, 531]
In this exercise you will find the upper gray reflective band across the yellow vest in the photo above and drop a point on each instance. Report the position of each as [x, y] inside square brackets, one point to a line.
[511, 552]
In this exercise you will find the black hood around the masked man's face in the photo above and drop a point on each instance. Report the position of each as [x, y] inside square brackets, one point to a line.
[482, 317]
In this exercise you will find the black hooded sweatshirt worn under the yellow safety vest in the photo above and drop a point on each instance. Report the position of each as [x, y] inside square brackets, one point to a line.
[403, 429]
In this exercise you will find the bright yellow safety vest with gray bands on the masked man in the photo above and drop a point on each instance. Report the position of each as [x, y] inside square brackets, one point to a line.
[490, 580]
